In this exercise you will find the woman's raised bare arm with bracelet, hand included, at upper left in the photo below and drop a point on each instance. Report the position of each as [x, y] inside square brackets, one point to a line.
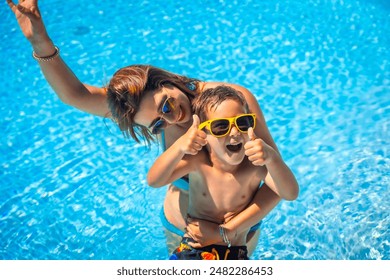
[67, 86]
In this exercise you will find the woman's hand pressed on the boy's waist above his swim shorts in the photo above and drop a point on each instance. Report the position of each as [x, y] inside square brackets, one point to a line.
[203, 232]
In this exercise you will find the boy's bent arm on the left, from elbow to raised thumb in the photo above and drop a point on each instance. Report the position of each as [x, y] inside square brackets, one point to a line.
[173, 163]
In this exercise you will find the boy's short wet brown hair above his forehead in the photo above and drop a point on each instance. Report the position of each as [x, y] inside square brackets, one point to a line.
[212, 97]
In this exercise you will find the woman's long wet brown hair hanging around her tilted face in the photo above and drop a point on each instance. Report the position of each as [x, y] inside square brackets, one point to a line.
[127, 88]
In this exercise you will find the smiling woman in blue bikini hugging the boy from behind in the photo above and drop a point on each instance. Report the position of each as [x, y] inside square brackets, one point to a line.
[146, 101]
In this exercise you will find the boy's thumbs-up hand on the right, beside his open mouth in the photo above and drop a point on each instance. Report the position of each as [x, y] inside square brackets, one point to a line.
[258, 152]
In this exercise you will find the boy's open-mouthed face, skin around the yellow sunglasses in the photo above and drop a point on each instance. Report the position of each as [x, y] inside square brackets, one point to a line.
[228, 149]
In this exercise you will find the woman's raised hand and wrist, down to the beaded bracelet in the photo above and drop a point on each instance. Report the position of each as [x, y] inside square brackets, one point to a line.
[30, 22]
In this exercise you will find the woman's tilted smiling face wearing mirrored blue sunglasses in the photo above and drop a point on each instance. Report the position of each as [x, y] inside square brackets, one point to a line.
[159, 109]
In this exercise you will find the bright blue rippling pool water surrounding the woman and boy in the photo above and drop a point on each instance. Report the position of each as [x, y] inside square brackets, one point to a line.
[73, 188]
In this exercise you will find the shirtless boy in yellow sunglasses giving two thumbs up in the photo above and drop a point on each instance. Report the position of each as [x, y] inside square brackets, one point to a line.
[225, 168]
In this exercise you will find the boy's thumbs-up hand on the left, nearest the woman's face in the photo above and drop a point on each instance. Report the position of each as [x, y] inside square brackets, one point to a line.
[194, 139]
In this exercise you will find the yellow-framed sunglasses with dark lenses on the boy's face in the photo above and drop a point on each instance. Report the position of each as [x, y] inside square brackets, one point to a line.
[222, 127]
